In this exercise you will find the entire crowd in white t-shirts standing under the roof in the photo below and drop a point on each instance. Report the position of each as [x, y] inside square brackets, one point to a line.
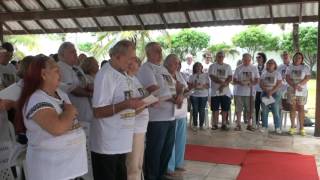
[63, 106]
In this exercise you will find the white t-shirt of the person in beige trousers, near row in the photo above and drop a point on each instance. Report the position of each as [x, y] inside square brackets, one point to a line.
[142, 119]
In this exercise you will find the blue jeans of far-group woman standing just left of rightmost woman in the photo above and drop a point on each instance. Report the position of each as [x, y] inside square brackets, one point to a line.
[274, 108]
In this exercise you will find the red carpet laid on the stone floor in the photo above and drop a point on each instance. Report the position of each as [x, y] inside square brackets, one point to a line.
[258, 164]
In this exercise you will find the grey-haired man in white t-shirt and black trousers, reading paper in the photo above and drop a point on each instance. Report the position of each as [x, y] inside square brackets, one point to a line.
[111, 133]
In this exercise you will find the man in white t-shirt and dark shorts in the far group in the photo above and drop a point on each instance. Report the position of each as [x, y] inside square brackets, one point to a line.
[220, 75]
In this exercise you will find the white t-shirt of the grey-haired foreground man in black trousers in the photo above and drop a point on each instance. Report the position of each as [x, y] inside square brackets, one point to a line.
[113, 134]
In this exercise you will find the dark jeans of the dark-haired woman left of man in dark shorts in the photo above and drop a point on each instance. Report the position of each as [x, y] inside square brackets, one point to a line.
[198, 107]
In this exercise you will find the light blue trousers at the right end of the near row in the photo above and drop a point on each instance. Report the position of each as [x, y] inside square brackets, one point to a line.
[177, 156]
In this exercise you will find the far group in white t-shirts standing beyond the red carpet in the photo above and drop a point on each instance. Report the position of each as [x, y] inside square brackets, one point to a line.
[257, 90]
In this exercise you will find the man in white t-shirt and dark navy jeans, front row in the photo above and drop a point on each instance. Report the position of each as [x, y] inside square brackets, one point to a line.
[161, 128]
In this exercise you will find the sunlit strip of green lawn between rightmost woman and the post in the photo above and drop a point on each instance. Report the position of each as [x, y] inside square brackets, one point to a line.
[311, 104]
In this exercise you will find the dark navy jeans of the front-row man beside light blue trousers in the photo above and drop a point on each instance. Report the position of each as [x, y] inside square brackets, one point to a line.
[159, 144]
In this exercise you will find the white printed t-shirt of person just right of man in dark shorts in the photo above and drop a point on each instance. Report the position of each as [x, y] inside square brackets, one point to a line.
[245, 74]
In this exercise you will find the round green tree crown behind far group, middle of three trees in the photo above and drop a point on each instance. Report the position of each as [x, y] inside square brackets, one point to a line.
[255, 39]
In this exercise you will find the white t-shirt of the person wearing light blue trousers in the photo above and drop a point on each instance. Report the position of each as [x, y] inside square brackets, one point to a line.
[181, 112]
